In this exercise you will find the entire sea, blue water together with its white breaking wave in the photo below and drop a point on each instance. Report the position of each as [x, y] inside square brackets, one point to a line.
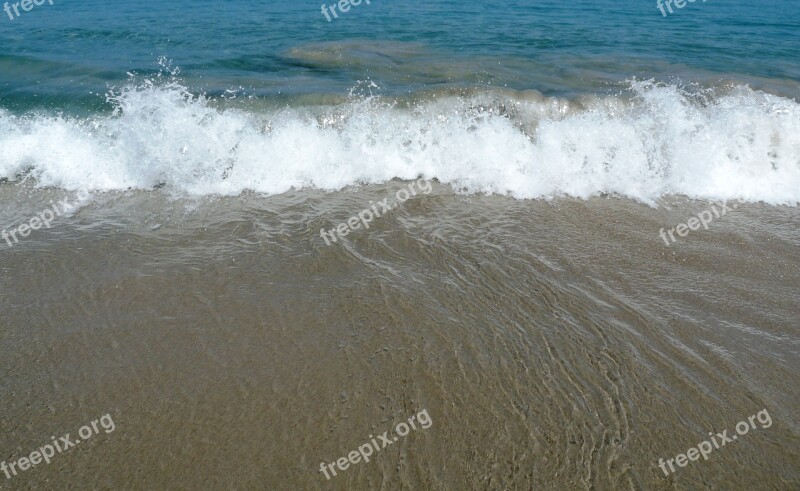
[530, 99]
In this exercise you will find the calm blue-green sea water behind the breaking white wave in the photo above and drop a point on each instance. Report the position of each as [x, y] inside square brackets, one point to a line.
[63, 52]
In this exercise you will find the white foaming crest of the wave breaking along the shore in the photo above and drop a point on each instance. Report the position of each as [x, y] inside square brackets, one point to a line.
[743, 144]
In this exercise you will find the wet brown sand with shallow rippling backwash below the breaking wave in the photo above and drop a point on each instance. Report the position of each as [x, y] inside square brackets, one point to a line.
[555, 345]
